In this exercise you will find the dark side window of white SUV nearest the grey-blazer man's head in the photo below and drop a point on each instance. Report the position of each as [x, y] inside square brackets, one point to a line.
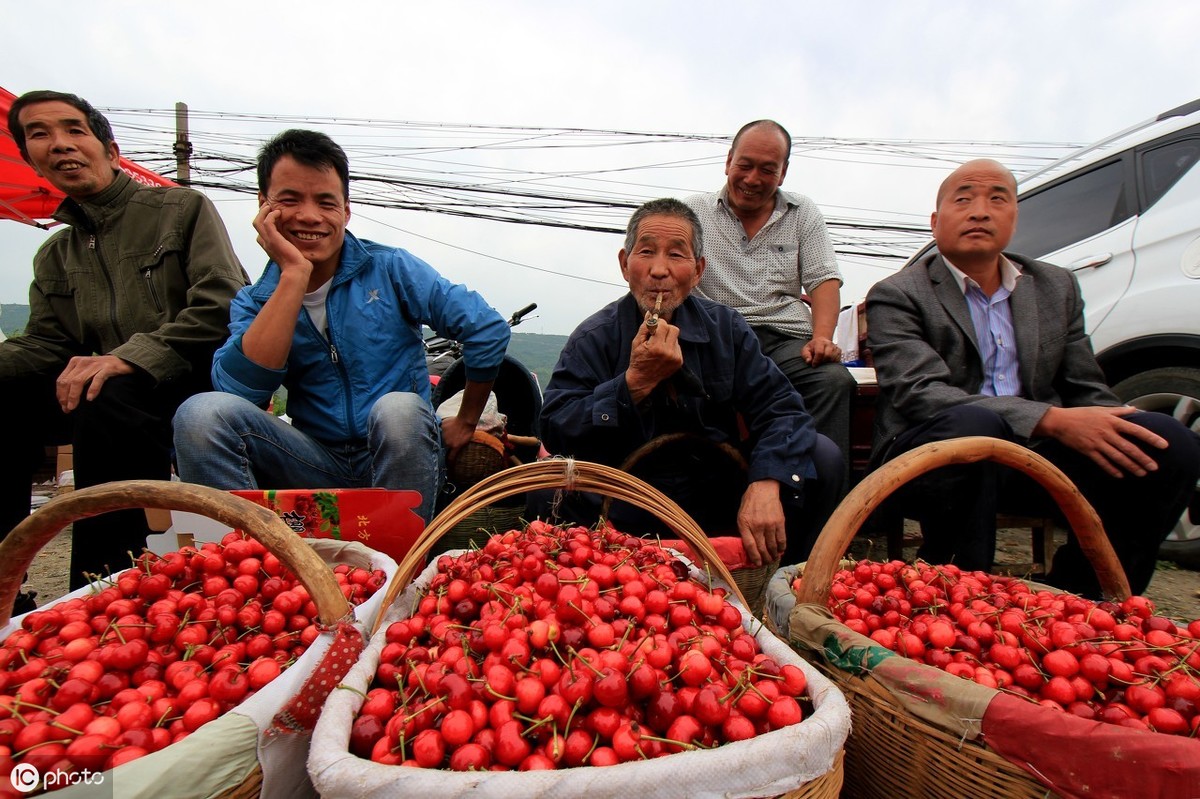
[1072, 211]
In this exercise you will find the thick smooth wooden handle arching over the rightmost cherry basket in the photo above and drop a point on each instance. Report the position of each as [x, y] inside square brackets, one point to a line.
[878, 486]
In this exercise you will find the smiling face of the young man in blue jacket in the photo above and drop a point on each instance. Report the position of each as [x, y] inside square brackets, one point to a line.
[314, 211]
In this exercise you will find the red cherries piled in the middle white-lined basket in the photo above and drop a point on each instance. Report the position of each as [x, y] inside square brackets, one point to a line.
[551, 648]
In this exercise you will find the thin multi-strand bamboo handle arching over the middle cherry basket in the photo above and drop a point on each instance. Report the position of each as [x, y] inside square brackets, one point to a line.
[578, 476]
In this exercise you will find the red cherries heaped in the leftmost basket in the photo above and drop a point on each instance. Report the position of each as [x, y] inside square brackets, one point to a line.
[149, 657]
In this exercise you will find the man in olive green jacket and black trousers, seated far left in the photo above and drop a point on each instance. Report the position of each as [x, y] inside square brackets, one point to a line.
[128, 305]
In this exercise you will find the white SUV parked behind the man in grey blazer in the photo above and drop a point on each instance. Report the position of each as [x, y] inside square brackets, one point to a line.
[1124, 214]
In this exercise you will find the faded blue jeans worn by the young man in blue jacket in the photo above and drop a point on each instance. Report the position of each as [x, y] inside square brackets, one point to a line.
[226, 442]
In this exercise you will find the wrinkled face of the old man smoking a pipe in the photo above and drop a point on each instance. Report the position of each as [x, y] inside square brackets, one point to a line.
[662, 262]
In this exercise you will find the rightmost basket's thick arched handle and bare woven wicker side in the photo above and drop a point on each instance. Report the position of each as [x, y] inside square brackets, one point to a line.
[892, 753]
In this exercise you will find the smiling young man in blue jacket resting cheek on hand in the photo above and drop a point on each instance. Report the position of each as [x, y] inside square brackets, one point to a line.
[338, 322]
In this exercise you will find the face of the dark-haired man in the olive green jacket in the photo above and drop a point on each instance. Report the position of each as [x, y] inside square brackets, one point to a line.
[65, 152]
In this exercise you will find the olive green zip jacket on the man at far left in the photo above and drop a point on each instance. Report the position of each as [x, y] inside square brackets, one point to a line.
[146, 274]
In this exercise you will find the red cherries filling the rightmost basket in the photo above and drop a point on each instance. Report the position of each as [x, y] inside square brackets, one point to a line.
[1105, 662]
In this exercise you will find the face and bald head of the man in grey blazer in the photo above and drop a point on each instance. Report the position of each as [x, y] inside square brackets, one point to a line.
[976, 215]
